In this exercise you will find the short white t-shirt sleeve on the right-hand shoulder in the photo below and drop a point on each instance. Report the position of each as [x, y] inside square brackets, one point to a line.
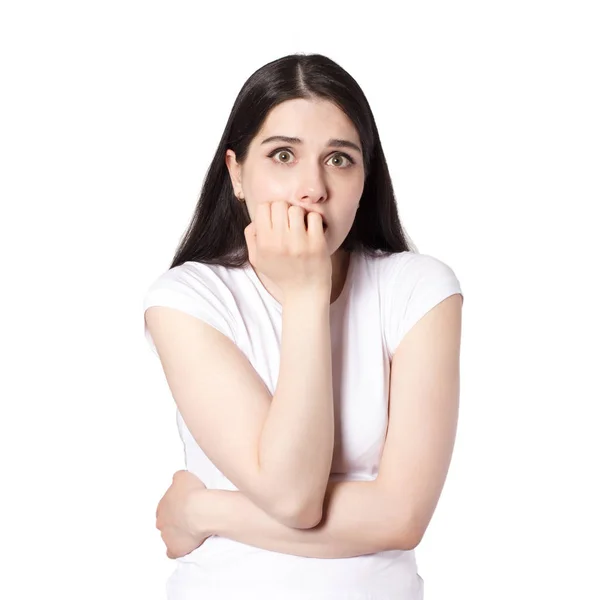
[416, 284]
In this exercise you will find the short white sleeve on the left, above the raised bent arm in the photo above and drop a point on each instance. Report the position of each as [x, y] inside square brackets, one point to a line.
[194, 291]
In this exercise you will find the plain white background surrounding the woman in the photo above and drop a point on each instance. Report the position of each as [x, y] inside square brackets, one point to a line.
[110, 114]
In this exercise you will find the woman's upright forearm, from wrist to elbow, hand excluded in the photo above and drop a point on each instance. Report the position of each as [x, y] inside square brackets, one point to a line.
[296, 443]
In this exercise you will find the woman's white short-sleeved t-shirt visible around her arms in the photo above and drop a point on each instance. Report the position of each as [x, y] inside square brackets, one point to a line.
[382, 299]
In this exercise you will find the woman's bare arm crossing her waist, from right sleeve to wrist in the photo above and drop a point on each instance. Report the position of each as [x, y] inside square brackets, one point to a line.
[394, 510]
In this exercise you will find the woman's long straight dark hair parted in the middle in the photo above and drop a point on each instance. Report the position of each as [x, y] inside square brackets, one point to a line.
[216, 232]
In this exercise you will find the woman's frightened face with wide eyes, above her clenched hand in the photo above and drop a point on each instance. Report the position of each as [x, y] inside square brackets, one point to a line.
[321, 170]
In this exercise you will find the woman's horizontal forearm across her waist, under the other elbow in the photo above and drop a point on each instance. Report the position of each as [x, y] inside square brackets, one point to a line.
[355, 522]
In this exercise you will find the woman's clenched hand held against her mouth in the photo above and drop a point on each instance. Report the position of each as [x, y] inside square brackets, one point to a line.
[294, 257]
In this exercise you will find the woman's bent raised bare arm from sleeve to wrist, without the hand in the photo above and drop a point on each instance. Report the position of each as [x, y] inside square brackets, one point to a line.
[276, 450]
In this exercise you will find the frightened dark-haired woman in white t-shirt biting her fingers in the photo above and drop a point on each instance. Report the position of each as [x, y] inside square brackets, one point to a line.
[312, 354]
